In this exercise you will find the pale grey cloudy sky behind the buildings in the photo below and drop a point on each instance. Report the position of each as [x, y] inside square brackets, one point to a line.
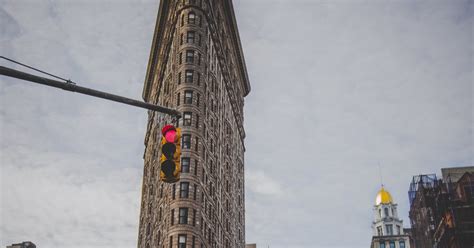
[338, 87]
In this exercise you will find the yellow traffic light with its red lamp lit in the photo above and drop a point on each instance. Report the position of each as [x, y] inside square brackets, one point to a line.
[170, 160]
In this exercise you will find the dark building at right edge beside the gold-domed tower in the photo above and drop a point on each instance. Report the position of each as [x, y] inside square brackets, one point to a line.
[442, 210]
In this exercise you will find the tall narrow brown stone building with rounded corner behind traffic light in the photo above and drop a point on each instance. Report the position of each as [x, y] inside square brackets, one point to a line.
[197, 66]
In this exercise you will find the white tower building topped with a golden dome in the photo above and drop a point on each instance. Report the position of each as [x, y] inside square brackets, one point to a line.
[387, 227]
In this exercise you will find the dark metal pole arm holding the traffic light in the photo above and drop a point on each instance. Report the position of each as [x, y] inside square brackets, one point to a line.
[69, 86]
